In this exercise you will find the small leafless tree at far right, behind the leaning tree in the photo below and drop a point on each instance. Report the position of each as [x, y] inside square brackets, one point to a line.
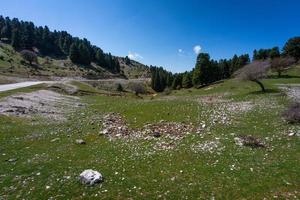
[281, 64]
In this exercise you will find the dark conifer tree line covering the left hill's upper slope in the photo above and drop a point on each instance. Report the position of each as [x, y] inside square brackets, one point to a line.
[23, 35]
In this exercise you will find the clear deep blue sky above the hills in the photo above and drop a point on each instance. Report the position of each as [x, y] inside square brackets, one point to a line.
[166, 32]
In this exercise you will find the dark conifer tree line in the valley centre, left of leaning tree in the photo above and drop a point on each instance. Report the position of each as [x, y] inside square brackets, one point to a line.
[206, 71]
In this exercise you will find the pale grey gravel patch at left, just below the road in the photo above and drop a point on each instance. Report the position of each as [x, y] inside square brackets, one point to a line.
[43, 103]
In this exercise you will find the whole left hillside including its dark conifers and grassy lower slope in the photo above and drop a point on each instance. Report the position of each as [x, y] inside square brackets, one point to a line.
[60, 54]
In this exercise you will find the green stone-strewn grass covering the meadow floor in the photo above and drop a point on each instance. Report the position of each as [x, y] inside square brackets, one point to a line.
[133, 170]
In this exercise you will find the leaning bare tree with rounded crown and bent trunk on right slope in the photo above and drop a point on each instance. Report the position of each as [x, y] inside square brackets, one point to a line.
[254, 71]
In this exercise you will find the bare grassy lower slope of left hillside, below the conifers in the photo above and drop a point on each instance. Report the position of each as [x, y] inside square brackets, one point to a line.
[12, 64]
